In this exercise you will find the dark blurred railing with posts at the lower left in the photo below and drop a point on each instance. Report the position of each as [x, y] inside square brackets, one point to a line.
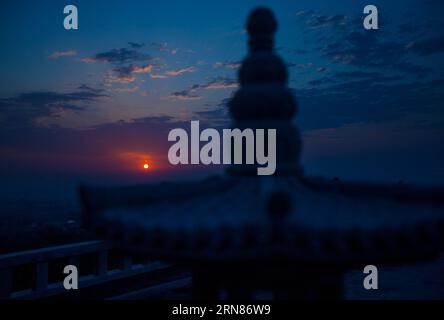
[41, 259]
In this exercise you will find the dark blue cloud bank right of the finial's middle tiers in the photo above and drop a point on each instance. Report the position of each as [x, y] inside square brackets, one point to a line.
[368, 99]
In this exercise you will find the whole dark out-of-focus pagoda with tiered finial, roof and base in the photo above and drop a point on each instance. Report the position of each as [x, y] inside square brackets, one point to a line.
[287, 233]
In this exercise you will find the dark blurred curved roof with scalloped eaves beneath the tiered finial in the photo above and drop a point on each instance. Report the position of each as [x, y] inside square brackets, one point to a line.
[238, 218]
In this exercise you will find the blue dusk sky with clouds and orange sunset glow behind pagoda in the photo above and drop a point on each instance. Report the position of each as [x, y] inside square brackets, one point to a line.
[102, 99]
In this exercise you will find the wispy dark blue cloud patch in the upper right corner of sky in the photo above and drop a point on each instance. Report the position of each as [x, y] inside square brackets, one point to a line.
[396, 48]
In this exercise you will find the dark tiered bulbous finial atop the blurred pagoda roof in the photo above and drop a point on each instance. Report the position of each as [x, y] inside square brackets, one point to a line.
[264, 101]
